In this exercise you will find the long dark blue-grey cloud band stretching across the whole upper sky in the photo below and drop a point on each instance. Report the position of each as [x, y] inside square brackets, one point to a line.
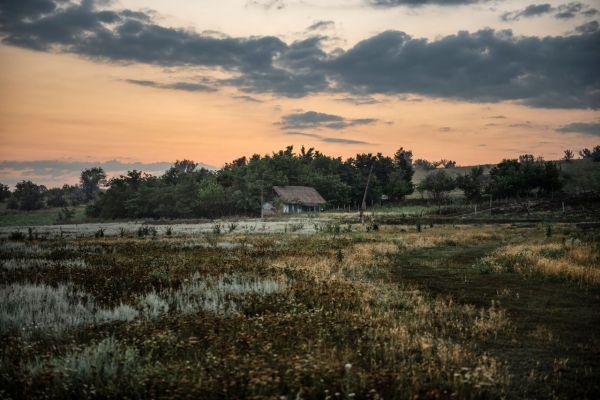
[484, 66]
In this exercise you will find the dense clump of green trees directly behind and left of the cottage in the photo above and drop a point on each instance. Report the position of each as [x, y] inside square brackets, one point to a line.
[186, 191]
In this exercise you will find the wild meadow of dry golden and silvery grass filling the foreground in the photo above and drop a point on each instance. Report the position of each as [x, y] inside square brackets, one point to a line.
[453, 311]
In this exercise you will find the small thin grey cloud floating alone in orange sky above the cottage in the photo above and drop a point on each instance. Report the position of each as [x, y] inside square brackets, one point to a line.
[317, 120]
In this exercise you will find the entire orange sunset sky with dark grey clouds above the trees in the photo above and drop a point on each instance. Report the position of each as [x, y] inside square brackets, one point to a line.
[139, 84]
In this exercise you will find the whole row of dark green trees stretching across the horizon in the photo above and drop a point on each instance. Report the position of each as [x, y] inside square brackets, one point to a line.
[187, 191]
